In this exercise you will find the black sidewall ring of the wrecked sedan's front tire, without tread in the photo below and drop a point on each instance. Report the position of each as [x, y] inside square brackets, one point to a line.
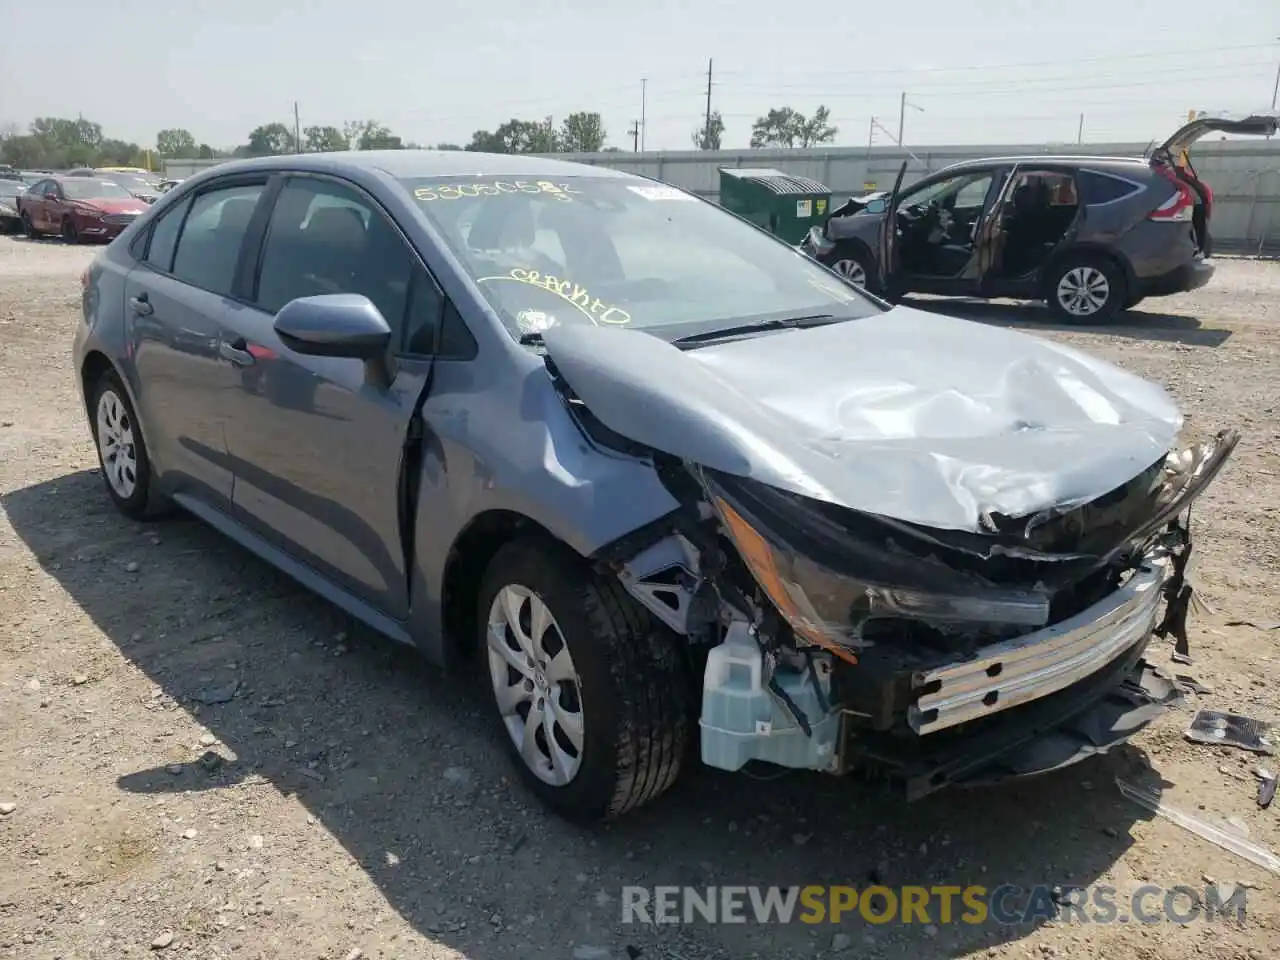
[563, 582]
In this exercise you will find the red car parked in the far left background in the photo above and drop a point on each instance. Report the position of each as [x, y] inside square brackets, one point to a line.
[77, 209]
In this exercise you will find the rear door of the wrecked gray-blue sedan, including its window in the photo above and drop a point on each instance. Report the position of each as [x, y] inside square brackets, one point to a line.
[180, 300]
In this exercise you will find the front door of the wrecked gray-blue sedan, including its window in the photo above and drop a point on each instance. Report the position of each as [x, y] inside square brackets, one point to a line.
[318, 445]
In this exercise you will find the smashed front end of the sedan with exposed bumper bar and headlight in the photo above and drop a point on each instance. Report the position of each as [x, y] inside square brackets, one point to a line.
[838, 639]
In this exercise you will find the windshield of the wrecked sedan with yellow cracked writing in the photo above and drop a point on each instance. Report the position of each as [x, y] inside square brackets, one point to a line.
[623, 253]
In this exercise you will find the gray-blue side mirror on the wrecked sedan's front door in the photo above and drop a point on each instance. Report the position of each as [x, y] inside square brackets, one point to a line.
[335, 326]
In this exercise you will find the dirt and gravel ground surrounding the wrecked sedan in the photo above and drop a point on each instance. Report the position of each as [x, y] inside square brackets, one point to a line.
[363, 804]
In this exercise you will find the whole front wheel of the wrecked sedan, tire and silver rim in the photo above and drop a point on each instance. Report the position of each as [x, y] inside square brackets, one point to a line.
[591, 691]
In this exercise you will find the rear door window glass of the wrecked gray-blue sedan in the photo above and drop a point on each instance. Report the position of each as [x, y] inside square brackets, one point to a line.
[211, 243]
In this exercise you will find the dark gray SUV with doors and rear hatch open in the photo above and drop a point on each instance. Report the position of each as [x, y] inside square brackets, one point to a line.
[1092, 236]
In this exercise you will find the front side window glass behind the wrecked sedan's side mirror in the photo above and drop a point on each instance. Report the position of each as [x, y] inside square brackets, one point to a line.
[326, 237]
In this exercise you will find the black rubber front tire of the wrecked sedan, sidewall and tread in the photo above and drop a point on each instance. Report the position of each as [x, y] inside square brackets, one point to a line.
[636, 696]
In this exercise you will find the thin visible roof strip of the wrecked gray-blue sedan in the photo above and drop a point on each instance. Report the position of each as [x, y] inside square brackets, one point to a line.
[404, 164]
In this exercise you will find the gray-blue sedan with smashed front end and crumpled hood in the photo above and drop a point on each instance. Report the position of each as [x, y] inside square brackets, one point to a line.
[680, 491]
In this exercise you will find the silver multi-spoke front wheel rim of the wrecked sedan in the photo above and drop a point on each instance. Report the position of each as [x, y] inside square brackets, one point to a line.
[536, 684]
